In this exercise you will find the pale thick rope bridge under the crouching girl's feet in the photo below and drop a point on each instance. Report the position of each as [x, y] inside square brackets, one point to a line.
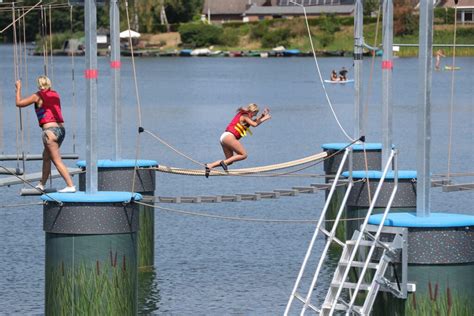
[243, 171]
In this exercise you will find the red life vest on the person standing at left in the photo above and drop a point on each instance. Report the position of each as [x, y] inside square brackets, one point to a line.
[50, 110]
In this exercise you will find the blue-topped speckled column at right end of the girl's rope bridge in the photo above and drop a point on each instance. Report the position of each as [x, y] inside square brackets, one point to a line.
[335, 153]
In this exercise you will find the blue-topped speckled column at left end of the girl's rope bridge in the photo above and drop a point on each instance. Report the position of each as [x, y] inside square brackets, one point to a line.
[119, 176]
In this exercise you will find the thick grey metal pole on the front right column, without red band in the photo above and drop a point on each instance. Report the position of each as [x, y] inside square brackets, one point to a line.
[424, 110]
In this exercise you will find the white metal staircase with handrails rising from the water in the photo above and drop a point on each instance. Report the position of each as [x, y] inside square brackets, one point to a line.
[364, 252]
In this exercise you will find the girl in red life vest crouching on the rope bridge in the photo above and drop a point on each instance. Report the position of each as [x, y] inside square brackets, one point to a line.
[239, 127]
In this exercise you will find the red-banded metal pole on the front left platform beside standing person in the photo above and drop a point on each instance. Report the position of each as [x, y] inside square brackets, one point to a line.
[90, 12]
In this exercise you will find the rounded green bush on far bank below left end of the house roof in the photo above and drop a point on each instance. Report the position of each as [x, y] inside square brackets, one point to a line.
[200, 35]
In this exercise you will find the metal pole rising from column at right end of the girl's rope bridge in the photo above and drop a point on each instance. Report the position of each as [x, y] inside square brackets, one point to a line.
[359, 122]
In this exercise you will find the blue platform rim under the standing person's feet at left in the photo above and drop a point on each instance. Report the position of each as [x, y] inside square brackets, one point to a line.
[99, 197]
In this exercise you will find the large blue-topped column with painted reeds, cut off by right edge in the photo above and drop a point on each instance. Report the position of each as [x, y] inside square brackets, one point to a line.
[440, 264]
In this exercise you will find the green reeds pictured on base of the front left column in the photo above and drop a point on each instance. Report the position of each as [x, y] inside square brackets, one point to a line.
[92, 288]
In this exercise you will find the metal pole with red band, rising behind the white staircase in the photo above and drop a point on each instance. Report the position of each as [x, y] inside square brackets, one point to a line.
[387, 67]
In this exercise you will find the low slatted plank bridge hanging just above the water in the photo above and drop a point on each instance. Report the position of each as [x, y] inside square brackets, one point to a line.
[240, 219]
